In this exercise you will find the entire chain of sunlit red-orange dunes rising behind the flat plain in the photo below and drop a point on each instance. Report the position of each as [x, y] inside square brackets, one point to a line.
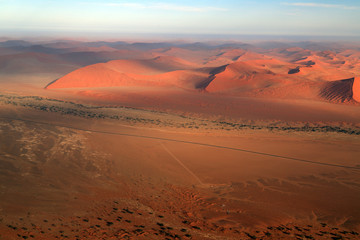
[283, 73]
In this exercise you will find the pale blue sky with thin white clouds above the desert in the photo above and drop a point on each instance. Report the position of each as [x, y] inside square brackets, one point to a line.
[213, 17]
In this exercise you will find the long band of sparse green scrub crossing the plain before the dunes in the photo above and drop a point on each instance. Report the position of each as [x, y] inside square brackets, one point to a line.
[131, 116]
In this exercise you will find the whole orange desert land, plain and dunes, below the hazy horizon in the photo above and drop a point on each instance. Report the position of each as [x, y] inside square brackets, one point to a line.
[179, 140]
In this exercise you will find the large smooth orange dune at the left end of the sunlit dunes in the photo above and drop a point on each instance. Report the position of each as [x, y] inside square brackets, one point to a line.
[159, 71]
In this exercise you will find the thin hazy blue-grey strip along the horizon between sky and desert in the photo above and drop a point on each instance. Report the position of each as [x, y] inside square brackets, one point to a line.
[177, 37]
